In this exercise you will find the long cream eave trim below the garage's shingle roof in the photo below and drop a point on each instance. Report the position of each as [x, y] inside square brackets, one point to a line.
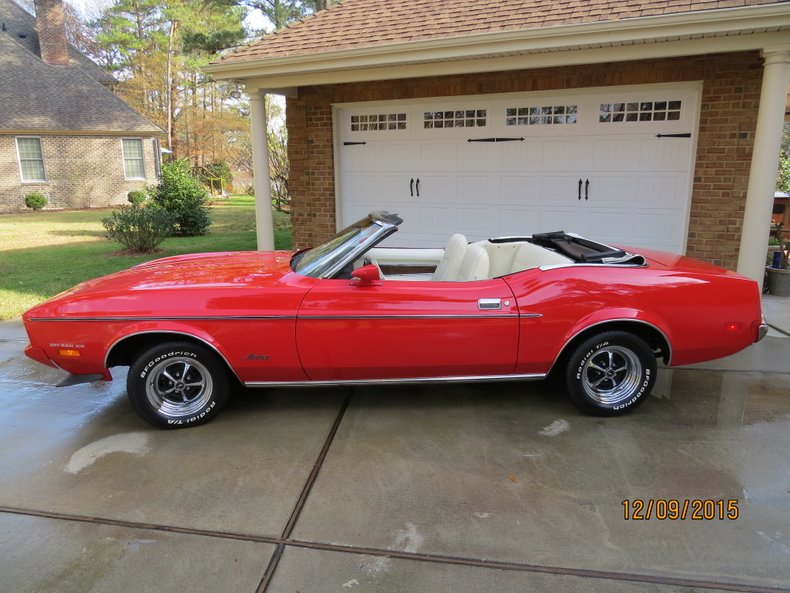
[285, 71]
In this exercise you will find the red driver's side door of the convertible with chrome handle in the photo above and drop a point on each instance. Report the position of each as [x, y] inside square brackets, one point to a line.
[394, 329]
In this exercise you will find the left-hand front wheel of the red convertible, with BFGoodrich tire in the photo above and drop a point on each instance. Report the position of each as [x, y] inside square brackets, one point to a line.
[177, 384]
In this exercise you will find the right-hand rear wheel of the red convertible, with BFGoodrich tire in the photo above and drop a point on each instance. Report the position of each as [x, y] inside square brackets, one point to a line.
[611, 373]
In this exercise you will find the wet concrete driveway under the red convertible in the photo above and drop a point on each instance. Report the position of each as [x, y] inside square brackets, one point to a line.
[490, 488]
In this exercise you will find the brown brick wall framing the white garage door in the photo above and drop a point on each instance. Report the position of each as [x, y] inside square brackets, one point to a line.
[730, 98]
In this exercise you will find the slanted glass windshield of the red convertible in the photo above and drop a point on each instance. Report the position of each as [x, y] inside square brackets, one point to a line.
[324, 259]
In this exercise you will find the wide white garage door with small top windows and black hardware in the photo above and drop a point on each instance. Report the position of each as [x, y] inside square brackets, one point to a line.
[612, 164]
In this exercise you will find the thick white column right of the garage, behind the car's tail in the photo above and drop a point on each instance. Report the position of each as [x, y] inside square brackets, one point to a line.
[765, 158]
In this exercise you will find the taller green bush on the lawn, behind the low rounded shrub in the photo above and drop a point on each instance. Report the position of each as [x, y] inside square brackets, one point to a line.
[184, 197]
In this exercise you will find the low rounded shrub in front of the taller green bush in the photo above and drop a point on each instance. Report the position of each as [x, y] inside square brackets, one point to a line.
[138, 228]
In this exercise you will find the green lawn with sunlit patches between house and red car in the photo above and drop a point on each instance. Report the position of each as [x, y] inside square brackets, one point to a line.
[44, 253]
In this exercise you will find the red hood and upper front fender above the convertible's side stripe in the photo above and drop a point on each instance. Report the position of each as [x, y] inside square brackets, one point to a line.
[181, 285]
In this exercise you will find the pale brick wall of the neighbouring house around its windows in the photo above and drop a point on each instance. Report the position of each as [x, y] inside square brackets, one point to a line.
[81, 172]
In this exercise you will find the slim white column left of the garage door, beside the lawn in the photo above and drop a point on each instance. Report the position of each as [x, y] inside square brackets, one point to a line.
[264, 224]
